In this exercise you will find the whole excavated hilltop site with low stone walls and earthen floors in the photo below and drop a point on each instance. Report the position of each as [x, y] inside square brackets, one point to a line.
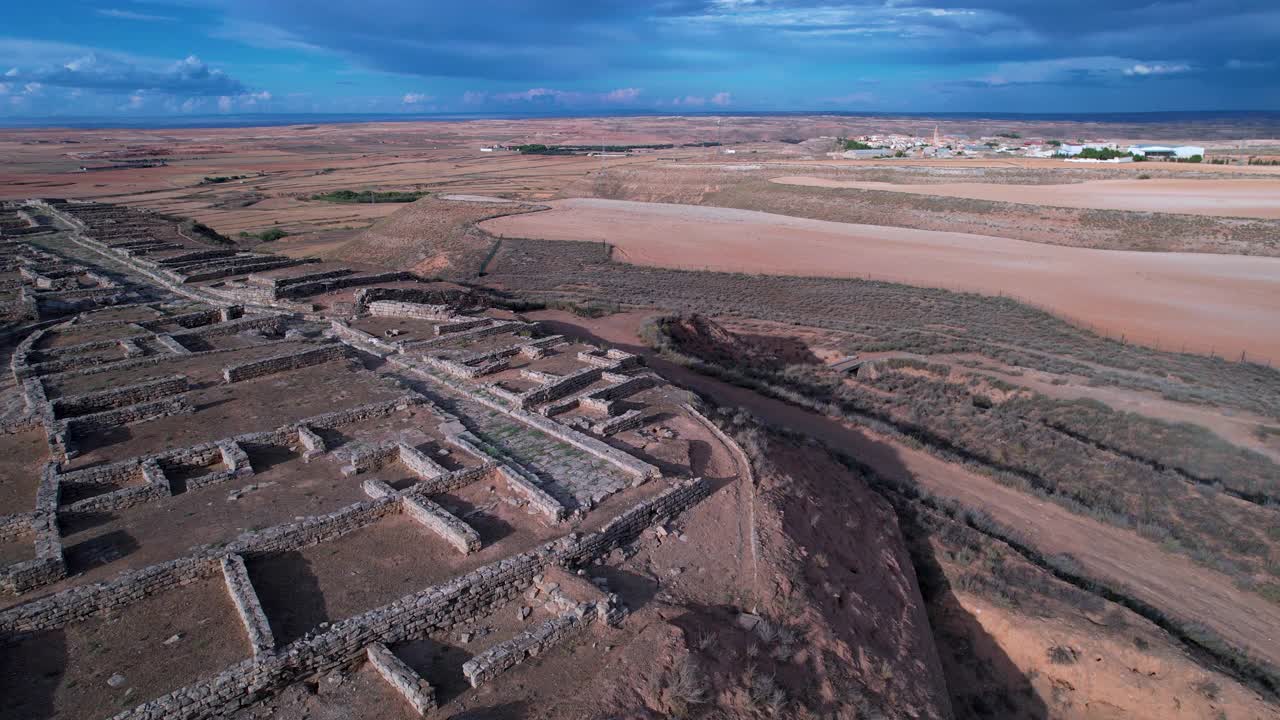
[235, 473]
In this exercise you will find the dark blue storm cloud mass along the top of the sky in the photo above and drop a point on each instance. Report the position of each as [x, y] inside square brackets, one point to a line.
[510, 40]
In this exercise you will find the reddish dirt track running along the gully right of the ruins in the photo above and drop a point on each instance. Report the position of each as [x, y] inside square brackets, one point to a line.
[1123, 559]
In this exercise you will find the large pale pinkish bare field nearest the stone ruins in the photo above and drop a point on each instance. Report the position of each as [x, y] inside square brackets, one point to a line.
[1204, 303]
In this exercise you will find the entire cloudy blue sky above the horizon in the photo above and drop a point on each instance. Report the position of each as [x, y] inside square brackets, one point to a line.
[135, 58]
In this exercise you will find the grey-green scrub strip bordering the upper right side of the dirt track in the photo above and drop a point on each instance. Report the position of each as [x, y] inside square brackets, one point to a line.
[1078, 455]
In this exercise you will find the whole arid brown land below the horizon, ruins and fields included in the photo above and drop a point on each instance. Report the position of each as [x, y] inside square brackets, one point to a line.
[683, 417]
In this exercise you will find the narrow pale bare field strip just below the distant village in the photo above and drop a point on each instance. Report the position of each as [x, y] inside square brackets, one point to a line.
[1231, 198]
